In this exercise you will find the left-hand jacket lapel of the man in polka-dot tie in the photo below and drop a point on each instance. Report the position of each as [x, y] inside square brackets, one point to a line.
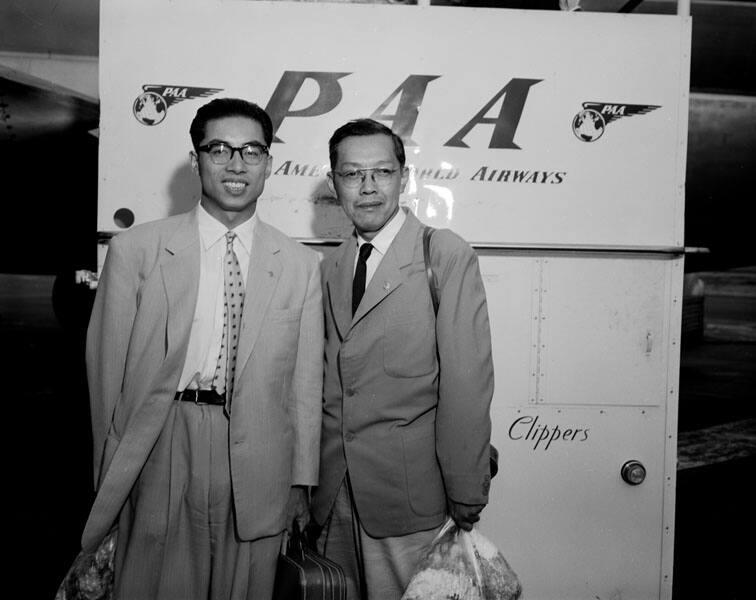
[180, 268]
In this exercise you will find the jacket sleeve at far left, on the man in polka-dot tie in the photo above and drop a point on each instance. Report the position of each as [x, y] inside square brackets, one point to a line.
[108, 337]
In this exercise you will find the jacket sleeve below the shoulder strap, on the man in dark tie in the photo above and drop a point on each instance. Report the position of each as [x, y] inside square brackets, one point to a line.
[466, 376]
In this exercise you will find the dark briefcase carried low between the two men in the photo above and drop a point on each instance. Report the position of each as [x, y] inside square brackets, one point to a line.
[303, 574]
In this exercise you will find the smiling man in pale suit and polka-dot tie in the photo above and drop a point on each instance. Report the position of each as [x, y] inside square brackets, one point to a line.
[201, 464]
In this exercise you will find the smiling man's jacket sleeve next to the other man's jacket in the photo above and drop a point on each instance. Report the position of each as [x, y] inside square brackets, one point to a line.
[307, 385]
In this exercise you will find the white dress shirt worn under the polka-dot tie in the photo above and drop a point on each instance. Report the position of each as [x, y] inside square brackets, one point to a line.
[207, 326]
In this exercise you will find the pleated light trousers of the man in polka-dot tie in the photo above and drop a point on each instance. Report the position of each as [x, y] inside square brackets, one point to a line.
[177, 537]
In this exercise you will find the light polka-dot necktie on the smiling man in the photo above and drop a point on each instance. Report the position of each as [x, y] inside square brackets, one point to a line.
[233, 302]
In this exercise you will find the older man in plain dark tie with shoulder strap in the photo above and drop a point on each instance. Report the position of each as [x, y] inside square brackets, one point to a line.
[406, 423]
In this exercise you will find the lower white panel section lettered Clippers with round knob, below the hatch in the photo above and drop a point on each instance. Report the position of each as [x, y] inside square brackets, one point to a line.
[561, 514]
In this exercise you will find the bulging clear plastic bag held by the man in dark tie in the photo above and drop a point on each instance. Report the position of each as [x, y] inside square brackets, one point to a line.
[463, 565]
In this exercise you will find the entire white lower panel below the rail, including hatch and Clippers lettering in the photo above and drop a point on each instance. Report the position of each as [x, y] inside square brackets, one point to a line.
[579, 392]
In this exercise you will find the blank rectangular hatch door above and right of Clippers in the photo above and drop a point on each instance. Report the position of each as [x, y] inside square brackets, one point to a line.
[604, 330]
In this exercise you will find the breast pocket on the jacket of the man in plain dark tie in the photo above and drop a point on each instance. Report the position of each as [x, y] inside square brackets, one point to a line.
[409, 348]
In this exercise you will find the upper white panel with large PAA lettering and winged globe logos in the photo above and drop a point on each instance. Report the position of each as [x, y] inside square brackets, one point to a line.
[518, 125]
